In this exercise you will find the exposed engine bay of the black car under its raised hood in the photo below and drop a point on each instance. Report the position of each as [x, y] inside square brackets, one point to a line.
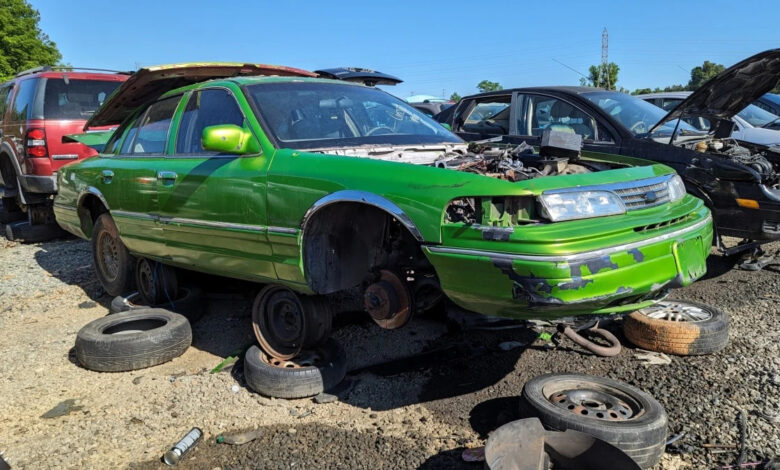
[765, 161]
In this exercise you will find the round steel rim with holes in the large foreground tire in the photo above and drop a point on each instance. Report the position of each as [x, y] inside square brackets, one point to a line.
[593, 404]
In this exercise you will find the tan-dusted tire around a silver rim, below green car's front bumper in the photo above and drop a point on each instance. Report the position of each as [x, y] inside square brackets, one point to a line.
[679, 337]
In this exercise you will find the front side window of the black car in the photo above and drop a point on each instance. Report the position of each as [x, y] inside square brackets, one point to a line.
[544, 112]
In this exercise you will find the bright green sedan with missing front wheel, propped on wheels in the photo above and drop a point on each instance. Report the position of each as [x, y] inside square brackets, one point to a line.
[333, 192]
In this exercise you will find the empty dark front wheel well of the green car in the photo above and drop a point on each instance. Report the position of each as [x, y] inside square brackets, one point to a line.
[345, 243]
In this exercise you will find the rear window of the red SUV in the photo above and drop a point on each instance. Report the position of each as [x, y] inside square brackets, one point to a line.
[75, 99]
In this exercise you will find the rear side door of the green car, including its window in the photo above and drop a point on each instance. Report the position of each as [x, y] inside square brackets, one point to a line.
[130, 177]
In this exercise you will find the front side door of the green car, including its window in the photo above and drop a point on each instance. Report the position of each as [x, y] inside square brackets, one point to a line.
[213, 206]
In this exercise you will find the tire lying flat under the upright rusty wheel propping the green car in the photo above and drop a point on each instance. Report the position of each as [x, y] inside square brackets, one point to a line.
[295, 382]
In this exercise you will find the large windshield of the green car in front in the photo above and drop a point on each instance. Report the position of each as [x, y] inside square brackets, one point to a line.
[317, 115]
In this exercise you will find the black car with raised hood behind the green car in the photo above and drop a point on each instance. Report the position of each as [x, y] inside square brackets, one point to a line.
[740, 182]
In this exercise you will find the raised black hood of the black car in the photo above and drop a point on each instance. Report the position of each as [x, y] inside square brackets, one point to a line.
[729, 92]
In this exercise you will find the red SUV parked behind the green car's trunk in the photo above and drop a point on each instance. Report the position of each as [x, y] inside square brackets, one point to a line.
[37, 108]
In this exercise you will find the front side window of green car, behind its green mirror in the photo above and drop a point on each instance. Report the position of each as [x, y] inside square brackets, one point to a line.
[205, 108]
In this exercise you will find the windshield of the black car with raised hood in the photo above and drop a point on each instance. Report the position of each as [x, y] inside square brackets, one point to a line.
[636, 115]
